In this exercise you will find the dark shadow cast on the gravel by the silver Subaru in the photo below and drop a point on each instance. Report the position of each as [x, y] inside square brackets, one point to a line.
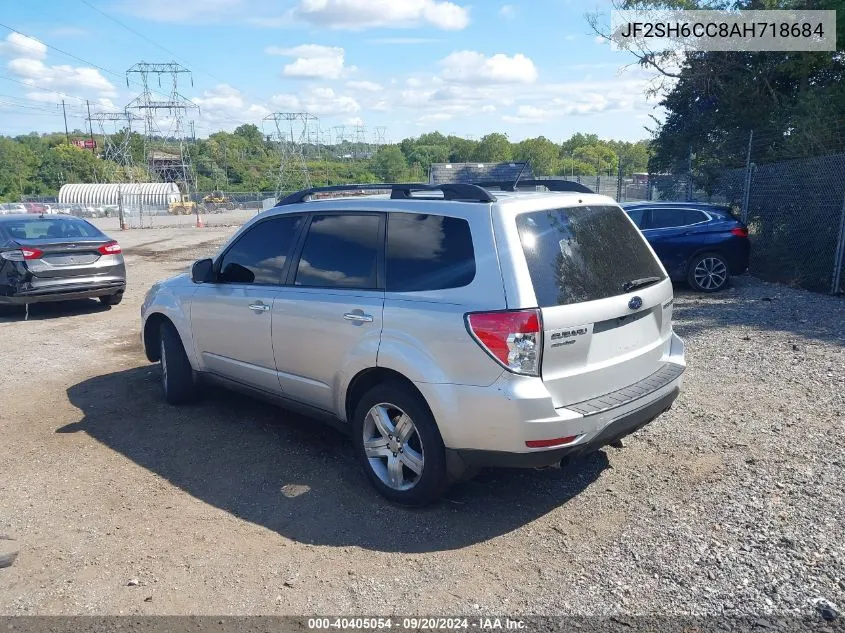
[297, 476]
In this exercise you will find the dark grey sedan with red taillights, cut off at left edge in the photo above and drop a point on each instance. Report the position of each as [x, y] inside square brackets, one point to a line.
[56, 258]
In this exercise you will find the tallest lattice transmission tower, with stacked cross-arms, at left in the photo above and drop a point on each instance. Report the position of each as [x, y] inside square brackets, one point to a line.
[164, 114]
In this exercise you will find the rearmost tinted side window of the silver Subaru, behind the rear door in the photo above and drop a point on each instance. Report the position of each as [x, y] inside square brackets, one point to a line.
[428, 252]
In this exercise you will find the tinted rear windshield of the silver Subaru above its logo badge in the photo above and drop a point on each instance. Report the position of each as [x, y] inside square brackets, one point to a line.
[583, 253]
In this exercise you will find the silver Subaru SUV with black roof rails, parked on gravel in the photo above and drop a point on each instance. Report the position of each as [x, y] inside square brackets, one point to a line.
[447, 328]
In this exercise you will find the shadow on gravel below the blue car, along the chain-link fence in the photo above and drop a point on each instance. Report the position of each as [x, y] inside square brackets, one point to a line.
[754, 304]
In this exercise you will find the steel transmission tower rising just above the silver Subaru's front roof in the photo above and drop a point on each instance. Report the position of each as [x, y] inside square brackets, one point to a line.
[293, 131]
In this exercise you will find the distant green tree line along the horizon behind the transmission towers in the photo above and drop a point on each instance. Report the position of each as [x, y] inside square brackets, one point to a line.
[247, 160]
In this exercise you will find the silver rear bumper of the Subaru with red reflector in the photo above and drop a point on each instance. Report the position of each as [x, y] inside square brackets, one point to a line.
[492, 425]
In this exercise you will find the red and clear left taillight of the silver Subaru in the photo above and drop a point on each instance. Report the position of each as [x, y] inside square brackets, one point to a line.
[513, 338]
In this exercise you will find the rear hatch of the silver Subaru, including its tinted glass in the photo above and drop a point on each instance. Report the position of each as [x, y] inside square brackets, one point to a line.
[605, 300]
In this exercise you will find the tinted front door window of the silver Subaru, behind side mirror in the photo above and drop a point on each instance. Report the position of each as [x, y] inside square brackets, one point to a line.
[259, 255]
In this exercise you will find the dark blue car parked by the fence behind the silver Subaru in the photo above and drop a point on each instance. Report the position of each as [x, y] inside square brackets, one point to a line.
[701, 244]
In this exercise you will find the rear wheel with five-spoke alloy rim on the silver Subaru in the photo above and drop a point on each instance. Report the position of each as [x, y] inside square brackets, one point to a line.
[399, 446]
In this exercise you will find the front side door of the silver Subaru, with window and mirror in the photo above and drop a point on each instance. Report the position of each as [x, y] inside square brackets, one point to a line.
[231, 319]
